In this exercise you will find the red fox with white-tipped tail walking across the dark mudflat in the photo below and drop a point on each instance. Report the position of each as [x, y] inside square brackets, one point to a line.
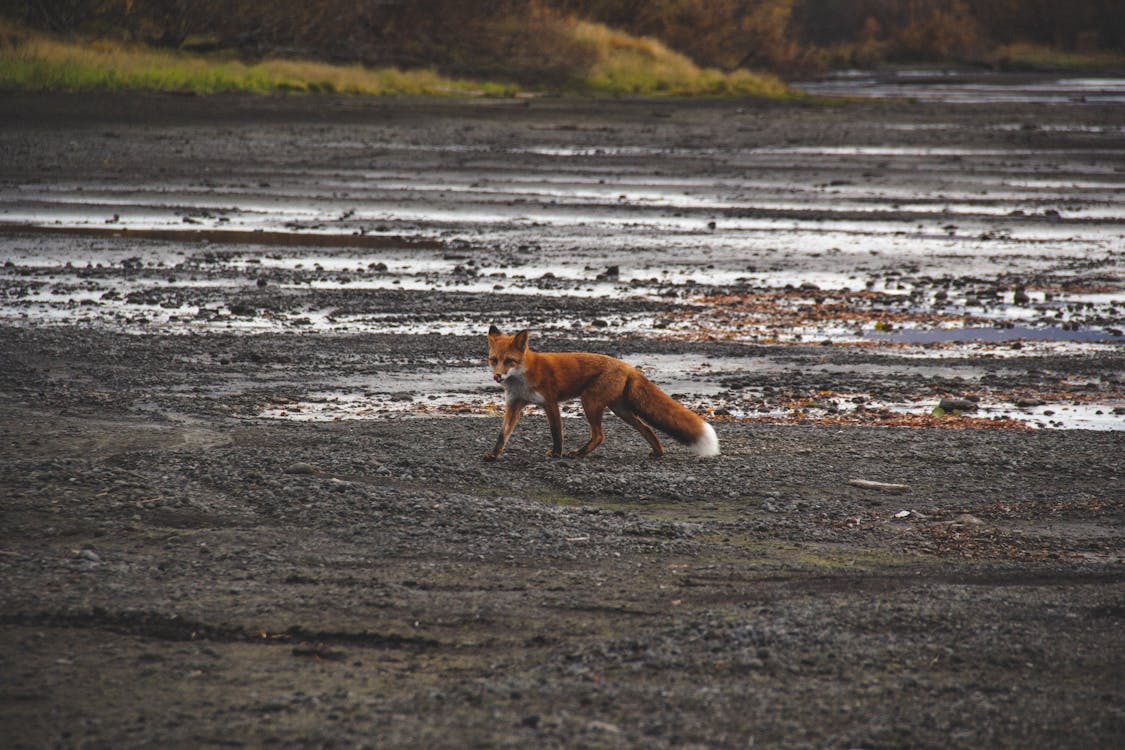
[600, 382]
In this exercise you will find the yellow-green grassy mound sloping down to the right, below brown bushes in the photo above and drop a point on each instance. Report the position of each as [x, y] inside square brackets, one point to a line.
[645, 67]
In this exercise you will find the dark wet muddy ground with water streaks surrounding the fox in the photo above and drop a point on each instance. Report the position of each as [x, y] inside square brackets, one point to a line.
[196, 553]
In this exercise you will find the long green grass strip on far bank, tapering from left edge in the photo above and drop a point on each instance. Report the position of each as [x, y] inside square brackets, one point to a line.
[35, 62]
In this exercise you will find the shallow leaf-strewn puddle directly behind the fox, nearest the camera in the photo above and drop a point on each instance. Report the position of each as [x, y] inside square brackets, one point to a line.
[703, 385]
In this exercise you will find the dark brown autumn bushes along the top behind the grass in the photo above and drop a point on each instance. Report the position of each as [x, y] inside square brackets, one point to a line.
[532, 41]
